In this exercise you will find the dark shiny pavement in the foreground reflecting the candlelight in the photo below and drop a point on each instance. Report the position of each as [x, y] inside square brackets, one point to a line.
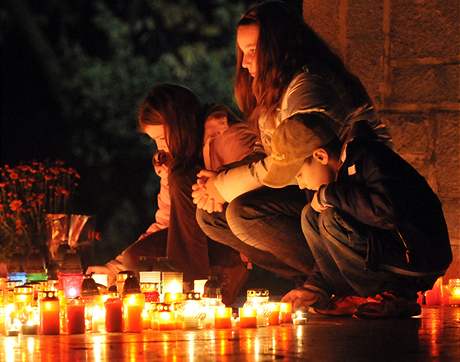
[433, 337]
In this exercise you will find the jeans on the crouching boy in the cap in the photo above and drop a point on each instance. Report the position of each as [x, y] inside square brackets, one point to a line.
[339, 246]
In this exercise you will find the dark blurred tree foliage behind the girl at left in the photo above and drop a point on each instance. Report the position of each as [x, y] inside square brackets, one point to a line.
[75, 73]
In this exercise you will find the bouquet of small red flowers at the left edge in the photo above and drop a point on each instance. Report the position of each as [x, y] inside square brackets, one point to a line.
[27, 193]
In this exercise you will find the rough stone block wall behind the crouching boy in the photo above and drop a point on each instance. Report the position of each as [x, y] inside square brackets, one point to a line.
[407, 54]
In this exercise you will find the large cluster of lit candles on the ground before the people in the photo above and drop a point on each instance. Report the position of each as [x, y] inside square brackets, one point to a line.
[157, 302]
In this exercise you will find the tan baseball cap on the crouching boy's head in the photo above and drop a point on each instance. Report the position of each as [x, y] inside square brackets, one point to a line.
[294, 141]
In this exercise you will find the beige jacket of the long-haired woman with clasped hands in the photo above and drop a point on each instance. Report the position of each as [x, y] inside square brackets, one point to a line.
[307, 92]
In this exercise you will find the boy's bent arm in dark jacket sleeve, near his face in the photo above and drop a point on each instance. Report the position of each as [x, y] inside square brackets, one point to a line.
[373, 199]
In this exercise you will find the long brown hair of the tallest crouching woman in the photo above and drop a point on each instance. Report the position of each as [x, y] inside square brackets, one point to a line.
[286, 44]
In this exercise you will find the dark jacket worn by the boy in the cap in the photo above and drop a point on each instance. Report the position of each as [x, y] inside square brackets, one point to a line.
[395, 207]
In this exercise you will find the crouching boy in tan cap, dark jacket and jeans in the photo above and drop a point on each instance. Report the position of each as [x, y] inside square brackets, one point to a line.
[374, 226]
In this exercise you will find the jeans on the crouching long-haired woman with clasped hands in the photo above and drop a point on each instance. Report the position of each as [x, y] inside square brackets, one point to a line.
[264, 225]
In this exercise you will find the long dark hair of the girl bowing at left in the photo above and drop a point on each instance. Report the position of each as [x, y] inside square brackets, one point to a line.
[178, 109]
